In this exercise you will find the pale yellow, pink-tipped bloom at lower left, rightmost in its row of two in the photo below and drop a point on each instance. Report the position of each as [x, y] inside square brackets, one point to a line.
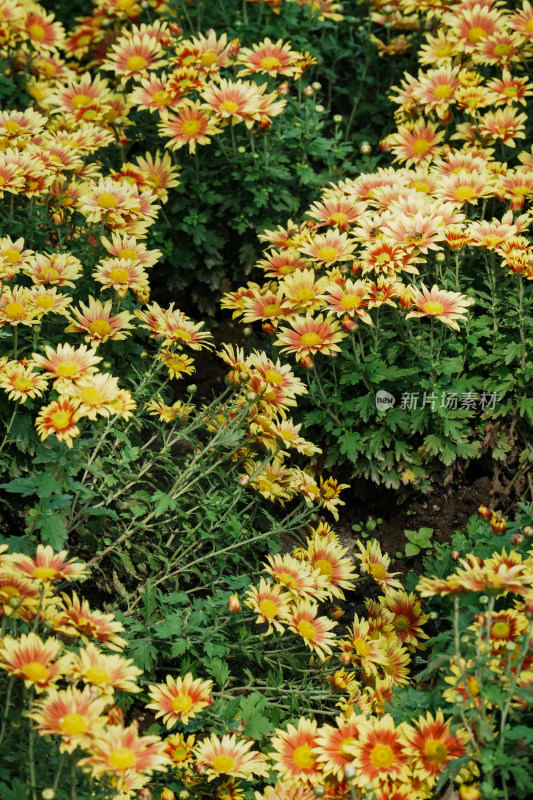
[105, 672]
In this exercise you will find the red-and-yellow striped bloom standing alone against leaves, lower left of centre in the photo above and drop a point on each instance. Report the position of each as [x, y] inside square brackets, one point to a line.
[179, 699]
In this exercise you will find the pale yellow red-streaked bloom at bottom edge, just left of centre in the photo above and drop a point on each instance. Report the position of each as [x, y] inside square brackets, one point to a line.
[230, 756]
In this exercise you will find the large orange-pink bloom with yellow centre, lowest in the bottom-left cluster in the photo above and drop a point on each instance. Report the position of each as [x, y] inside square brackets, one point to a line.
[118, 751]
